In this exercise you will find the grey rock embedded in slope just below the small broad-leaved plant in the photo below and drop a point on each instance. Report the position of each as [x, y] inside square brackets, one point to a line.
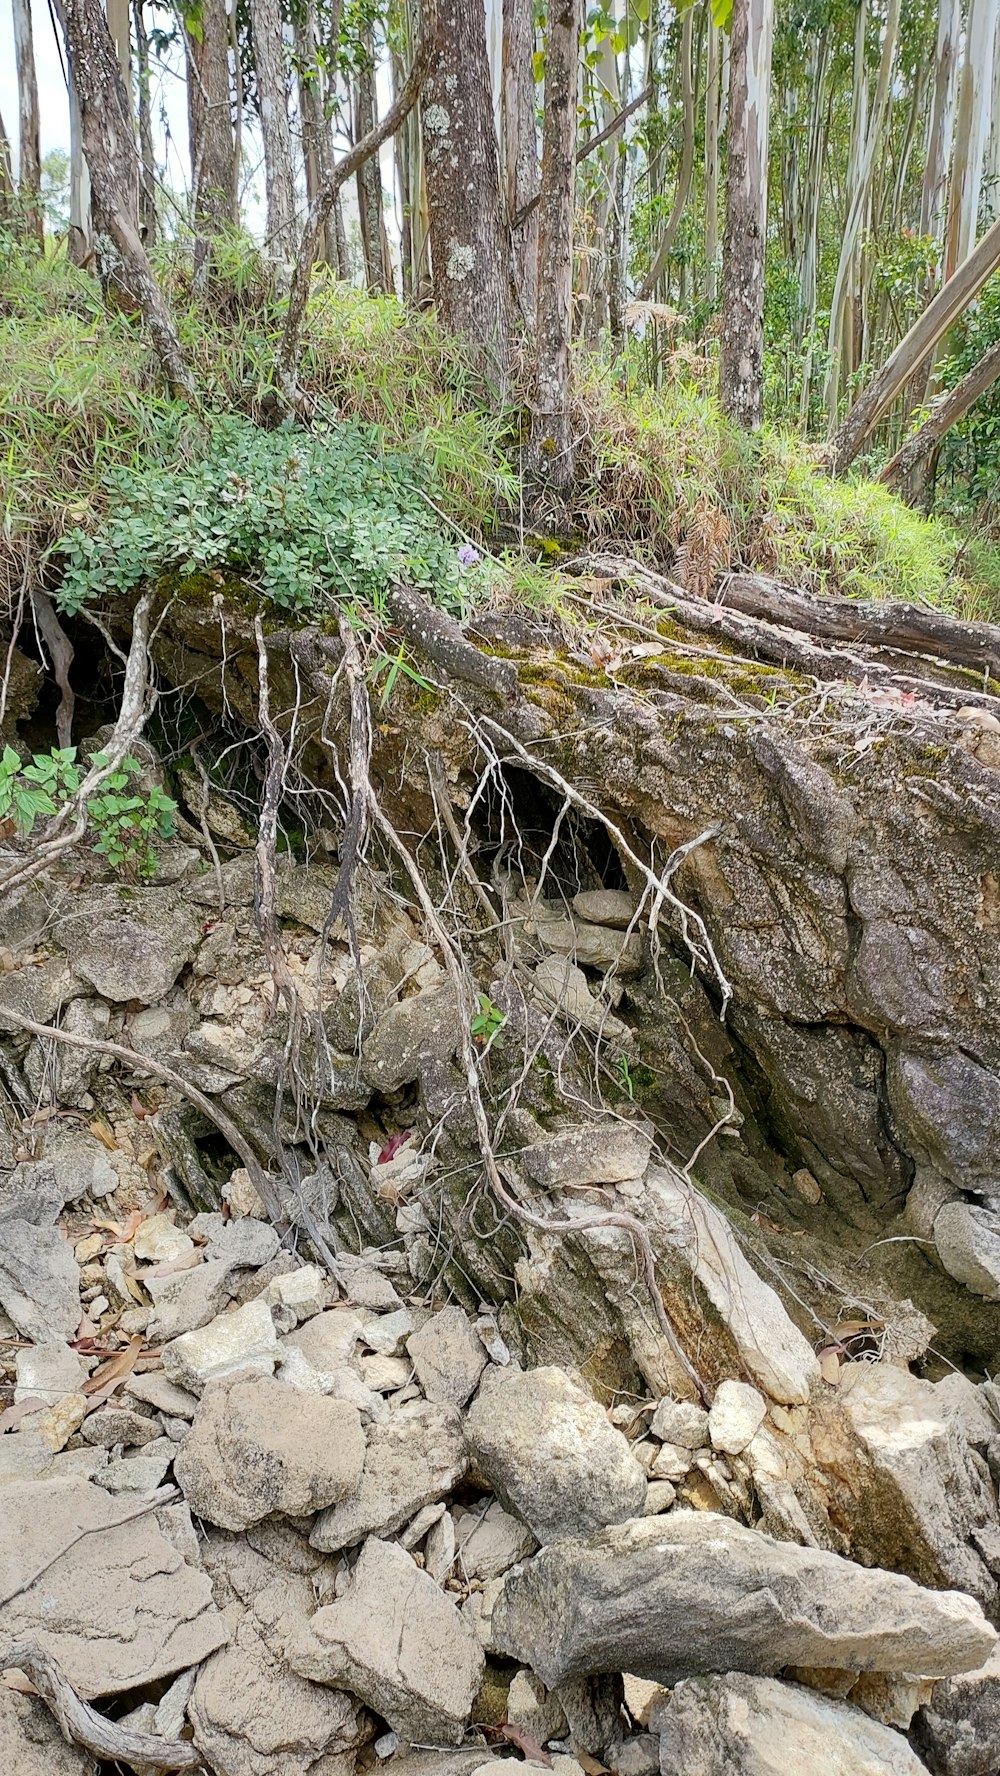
[136, 947]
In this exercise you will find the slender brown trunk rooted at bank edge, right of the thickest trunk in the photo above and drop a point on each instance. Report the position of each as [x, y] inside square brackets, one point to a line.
[552, 452]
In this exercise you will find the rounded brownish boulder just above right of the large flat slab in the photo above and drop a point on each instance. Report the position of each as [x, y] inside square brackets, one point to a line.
[258, 1447]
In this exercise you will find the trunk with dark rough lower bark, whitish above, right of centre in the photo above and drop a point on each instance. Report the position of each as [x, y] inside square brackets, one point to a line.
[742, 329]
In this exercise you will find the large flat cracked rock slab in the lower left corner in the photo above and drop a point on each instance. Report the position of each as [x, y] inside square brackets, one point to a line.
[148, 1617]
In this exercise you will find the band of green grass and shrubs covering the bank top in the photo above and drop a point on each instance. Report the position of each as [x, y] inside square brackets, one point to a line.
[411, 466]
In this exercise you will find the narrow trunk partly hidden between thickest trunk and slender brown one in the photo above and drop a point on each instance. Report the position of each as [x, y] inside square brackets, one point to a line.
[521, 147]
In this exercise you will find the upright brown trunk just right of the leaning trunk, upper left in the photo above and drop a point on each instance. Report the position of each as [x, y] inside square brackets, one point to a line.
[210, 120]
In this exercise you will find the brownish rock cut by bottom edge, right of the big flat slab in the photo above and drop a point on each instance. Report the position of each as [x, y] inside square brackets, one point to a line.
[253, 1717]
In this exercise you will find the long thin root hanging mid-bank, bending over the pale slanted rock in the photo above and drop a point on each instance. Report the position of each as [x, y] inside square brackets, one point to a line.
[466, 1004]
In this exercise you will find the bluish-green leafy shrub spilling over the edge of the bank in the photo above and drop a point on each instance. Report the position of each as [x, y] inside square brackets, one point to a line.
[305, 518]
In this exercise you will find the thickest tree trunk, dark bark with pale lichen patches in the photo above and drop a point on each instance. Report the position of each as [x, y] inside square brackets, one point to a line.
[470, 241]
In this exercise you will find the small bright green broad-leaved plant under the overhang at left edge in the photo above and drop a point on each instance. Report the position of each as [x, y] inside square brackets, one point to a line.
[123, 821]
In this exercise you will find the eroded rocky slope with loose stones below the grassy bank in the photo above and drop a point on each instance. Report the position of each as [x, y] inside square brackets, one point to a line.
[541, 1303]
